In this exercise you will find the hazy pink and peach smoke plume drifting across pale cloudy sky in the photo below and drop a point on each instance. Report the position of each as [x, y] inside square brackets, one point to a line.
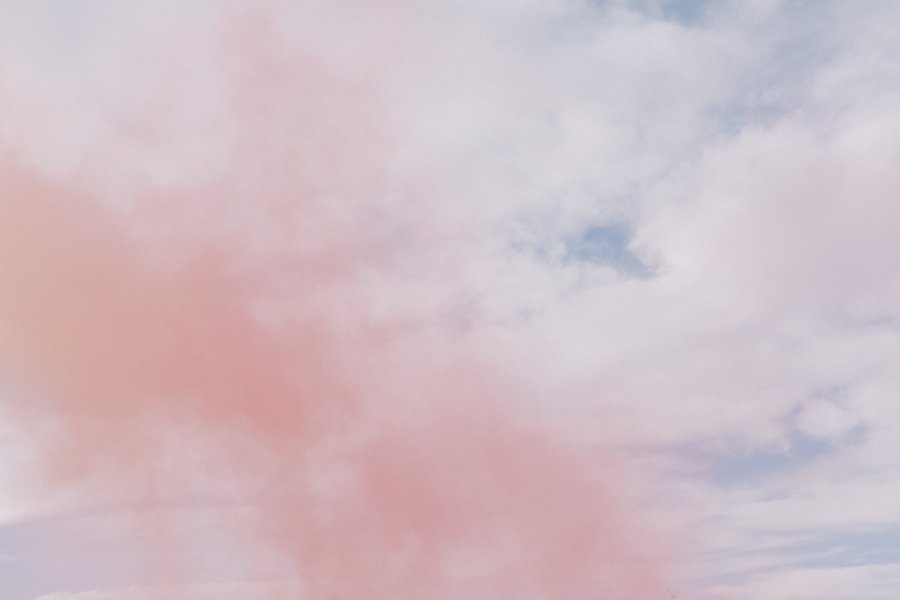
[236, 333]
